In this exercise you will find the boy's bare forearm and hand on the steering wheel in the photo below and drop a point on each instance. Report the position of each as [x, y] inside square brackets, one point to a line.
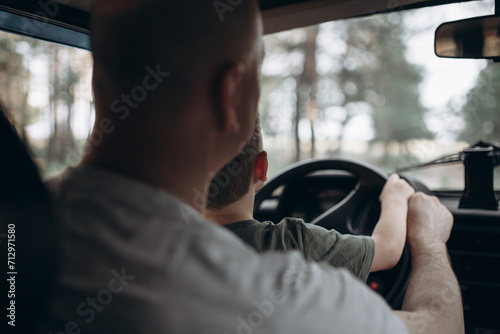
[389, 234]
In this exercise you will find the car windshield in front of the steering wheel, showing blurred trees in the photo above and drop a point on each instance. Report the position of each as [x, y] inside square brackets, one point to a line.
[372, 89]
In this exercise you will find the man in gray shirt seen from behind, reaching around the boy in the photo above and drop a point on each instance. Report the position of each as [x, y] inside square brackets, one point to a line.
[176, 90]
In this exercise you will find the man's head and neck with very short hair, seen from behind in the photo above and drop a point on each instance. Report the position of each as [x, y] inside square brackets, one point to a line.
[176, 87]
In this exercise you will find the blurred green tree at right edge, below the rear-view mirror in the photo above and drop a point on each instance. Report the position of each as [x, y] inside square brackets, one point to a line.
[480, 111]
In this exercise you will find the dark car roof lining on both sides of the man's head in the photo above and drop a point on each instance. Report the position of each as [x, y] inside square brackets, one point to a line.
[69, 23]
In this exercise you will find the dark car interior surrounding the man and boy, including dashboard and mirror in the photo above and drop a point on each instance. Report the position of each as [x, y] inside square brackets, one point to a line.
[340, 193]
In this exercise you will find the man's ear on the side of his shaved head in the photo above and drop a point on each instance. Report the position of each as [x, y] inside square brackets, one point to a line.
[229, 93]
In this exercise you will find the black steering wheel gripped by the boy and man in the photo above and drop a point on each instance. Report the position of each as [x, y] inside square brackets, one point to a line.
[352, 215]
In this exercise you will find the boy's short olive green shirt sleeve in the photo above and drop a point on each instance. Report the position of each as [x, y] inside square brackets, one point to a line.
[354, 253]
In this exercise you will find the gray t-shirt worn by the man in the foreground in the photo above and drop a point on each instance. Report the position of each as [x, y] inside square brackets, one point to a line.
[135, 259]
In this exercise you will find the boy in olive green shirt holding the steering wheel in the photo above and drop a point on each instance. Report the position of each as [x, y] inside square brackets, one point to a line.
[232, 207]
